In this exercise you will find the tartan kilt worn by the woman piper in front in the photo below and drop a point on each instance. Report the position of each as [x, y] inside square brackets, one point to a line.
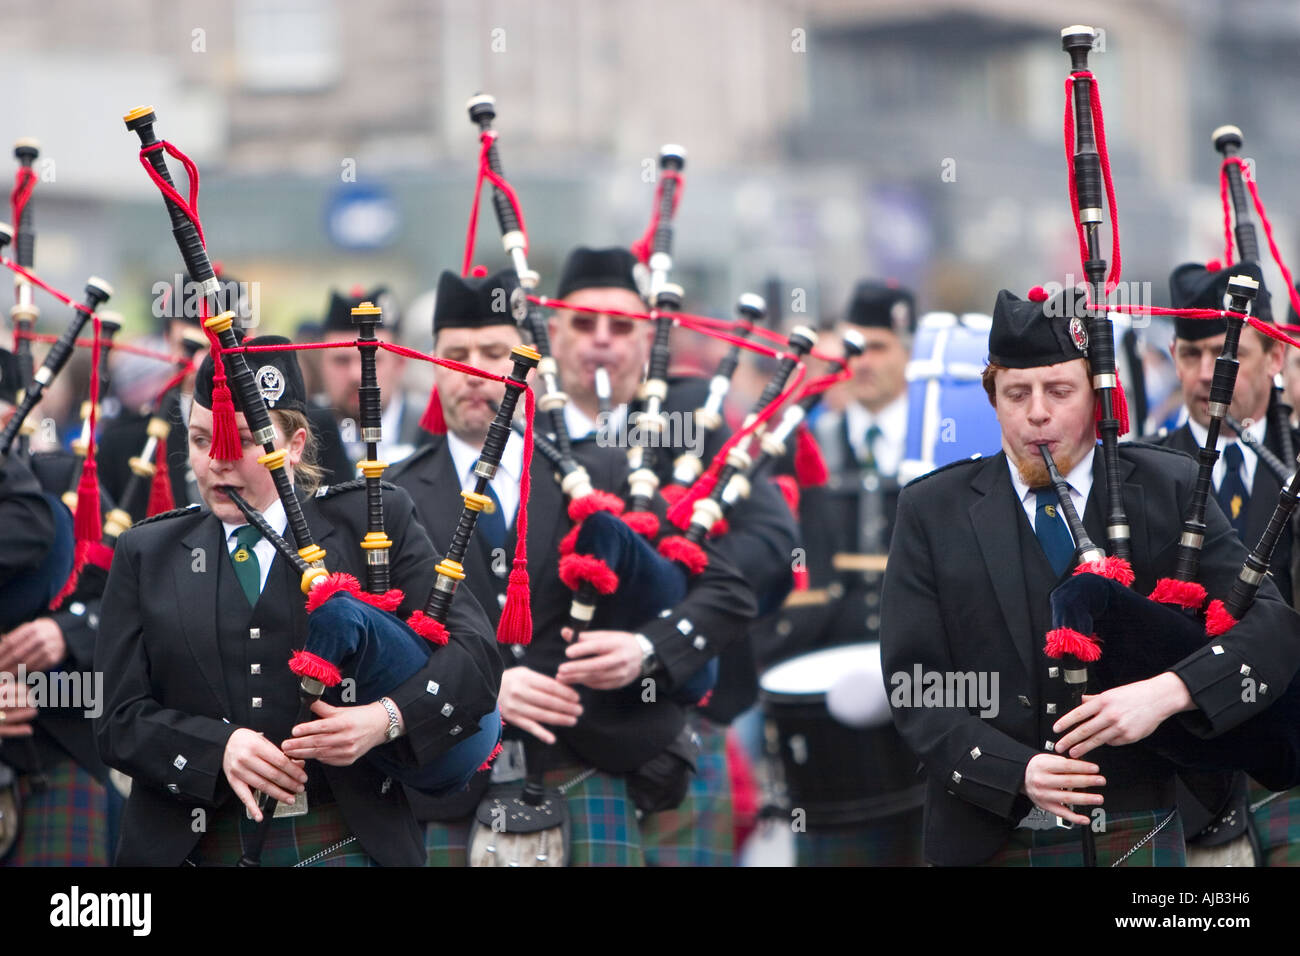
[289, 842]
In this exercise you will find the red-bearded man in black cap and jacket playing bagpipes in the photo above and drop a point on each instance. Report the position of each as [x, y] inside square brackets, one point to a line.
[977, 552]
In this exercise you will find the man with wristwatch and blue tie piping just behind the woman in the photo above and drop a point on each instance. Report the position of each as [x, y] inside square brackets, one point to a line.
[603, 702]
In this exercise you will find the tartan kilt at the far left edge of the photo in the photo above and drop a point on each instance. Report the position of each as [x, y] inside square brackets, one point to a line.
[66, 824]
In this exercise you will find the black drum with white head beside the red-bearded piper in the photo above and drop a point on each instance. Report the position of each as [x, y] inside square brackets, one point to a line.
[829, 728]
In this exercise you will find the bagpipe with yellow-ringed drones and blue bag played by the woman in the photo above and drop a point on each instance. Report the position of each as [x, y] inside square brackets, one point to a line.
[352, 631]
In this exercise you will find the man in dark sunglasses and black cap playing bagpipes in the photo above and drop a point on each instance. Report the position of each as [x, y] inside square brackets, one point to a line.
[761, 539]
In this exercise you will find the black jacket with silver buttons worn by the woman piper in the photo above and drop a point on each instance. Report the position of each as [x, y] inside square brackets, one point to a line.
[175, 697]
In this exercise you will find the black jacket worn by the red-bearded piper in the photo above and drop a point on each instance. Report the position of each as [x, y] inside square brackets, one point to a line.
[956, 599]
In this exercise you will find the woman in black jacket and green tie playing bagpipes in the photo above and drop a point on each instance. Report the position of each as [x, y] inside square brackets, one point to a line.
[201, 617]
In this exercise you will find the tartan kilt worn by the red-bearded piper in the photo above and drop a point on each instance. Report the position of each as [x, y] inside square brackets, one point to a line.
[1061, 847]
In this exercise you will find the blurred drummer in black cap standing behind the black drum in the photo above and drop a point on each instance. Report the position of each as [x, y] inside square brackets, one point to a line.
[846, 527]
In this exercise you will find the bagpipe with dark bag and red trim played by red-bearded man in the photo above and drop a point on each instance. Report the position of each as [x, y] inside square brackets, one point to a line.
[1103, 631]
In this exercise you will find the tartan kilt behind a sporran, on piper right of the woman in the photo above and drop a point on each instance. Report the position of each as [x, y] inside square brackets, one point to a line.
[604, 824]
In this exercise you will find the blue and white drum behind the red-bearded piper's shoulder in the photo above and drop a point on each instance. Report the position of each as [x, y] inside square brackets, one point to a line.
[948, 414]
